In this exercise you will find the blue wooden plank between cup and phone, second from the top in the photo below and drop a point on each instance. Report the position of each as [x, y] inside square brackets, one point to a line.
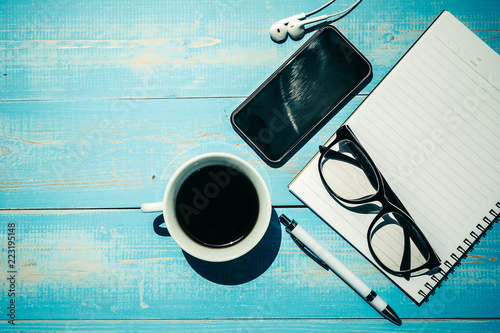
[118, 153]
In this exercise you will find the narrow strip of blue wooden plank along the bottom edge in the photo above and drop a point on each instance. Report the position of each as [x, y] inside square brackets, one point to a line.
[277, 325]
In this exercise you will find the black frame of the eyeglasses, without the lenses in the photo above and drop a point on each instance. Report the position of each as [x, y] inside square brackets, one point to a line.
[387, 198]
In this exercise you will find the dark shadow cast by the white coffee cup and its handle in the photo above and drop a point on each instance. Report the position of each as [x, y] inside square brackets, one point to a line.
[240, 270]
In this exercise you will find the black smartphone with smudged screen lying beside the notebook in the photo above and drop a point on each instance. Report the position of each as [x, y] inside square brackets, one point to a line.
[309, 88]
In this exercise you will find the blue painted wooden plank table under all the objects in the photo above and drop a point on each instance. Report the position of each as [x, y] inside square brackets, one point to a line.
[101, 101]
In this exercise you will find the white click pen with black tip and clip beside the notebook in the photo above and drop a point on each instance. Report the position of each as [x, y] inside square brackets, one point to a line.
[315, 250]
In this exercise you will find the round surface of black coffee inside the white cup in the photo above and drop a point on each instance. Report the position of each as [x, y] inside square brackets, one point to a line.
[217, 205]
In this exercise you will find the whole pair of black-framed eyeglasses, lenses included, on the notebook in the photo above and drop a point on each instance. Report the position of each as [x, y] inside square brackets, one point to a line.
[394, 240]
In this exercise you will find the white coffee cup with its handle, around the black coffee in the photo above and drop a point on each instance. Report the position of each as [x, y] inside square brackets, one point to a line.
[188, 244]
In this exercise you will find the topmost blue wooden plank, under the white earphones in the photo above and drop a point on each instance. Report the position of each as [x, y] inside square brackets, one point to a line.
[59, 49]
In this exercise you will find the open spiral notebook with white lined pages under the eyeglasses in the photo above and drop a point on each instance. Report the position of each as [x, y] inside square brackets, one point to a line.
[432, 127]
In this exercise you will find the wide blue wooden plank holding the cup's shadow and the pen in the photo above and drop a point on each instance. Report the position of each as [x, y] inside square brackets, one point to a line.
[110, 264]
